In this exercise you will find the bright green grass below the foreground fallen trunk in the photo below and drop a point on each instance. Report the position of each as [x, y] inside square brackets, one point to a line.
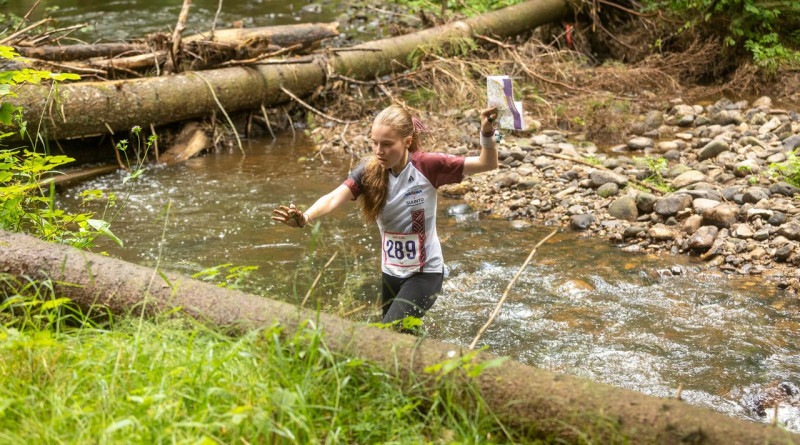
[64, 379]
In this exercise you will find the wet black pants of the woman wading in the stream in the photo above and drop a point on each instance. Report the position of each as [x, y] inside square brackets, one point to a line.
[410, 296]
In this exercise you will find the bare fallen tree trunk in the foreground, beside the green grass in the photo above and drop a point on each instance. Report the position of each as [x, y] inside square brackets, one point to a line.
[542, 402]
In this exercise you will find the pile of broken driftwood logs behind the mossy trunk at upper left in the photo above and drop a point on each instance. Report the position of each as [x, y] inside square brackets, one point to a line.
[156, 54]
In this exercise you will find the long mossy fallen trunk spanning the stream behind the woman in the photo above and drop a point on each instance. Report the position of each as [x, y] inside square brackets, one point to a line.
[94, 107]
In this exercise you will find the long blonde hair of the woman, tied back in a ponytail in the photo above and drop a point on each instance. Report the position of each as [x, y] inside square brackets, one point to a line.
[376, 178]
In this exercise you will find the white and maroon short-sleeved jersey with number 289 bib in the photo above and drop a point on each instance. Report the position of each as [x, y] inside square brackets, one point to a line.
[407, 222]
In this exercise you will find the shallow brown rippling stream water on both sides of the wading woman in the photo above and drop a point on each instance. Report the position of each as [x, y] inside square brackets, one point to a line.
[581, 307]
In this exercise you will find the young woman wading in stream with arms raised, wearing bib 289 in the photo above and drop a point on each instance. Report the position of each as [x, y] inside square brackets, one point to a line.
[397, 187]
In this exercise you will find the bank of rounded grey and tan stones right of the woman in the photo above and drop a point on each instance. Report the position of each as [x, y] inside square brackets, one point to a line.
[713, 181]
